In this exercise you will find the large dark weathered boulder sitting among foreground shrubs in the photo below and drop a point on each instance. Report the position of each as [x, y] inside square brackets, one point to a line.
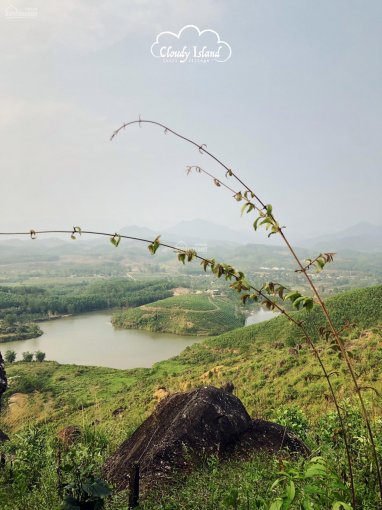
[186, 427]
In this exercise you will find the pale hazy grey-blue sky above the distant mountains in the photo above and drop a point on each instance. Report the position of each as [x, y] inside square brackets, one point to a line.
[296, 111]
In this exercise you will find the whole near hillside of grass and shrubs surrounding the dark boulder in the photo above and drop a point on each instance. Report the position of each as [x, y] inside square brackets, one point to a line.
[274, 381]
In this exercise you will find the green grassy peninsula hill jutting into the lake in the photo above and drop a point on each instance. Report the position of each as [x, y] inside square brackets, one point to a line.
[196, 314]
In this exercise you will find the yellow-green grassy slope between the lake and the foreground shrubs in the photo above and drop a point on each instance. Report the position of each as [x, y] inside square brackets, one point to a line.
[266, 371]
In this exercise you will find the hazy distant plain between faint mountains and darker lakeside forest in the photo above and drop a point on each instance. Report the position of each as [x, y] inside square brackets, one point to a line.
[88, 261]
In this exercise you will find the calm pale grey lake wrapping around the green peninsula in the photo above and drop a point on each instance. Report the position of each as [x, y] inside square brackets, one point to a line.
[90, 339]
